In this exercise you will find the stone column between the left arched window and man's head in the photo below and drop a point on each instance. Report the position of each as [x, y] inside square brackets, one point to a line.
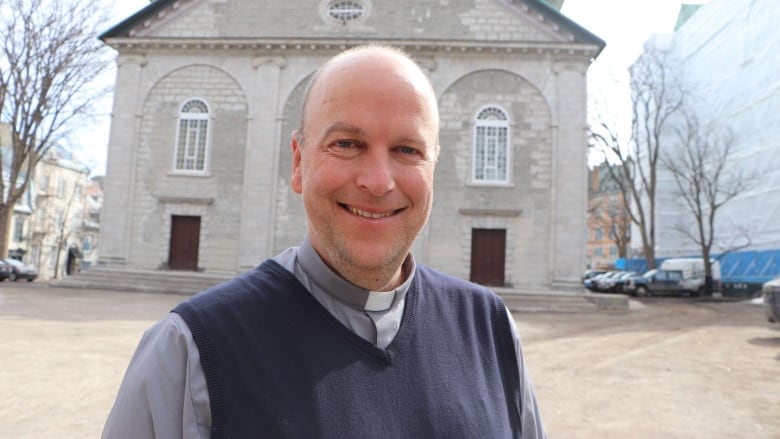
[261, 162]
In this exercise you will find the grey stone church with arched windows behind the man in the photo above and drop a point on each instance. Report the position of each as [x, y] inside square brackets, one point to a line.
[208, 92]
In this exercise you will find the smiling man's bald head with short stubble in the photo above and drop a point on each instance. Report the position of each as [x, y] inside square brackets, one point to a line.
[363, 159]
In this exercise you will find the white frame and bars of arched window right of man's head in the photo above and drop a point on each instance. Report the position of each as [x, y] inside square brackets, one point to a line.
[486, 124]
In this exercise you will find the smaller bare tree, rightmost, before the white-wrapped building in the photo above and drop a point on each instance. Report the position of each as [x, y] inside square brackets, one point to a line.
[705, 182]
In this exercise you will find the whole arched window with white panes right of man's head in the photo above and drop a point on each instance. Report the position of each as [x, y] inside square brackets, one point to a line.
[491, 146]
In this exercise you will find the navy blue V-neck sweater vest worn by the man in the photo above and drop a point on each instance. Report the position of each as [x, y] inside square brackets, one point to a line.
[278, 365]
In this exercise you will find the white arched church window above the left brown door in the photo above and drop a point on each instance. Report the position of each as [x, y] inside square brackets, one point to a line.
[192, 137]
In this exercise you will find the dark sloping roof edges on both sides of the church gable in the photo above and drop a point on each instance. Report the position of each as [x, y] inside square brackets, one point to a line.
[550, 12]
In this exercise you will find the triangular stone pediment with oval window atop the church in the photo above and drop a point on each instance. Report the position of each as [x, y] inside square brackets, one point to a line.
[456, 22]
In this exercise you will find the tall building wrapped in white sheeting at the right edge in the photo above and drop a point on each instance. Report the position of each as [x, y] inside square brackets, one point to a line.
[726, 49]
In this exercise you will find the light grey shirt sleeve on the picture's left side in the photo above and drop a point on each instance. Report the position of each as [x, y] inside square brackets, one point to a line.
[164, 392]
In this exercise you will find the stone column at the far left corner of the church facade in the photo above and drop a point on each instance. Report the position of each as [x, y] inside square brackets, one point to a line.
[120, 167]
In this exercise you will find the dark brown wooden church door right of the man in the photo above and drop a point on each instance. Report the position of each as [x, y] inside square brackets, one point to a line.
[488, 249]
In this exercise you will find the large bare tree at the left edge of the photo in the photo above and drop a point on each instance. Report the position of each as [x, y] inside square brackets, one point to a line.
[50, 59]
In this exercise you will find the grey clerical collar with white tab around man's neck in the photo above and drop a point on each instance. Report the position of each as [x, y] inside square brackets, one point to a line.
[345, 291]
